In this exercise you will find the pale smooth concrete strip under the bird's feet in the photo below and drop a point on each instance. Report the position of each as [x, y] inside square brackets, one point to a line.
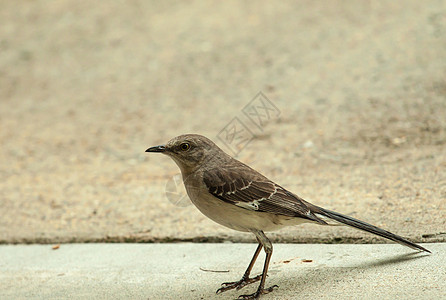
[188, 271]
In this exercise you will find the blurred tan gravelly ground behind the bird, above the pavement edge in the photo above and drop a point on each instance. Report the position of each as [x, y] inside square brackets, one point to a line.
[86, 87]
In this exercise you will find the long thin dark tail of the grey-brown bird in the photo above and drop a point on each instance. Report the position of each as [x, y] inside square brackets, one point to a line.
[365, 226]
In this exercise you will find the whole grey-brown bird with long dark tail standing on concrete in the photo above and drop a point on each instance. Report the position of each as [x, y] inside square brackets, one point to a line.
[236, 196]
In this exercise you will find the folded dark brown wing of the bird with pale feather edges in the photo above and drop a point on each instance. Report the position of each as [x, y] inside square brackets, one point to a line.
[252, 191]
